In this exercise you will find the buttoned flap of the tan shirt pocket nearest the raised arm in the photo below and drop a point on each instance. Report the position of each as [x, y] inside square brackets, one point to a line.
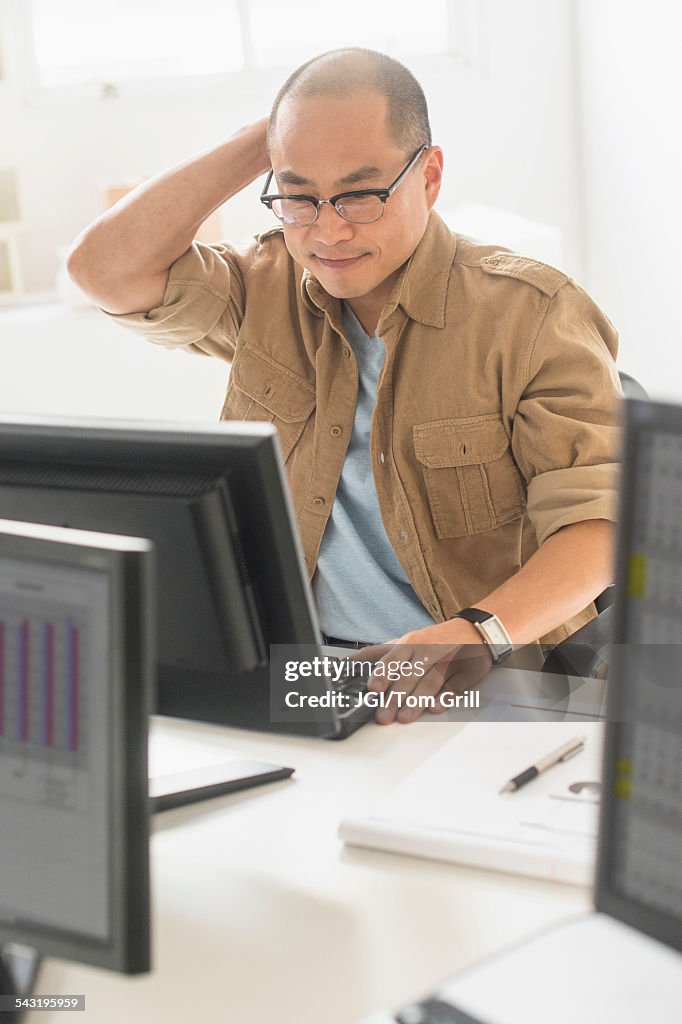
[274, 387]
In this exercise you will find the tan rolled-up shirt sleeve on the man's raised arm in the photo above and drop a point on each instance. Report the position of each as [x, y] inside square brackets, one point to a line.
[203, 306]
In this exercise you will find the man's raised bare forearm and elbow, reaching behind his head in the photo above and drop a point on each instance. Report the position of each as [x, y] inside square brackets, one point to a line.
[138, 240]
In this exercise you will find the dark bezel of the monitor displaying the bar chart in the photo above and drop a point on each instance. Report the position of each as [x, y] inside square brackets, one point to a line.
[129, 566]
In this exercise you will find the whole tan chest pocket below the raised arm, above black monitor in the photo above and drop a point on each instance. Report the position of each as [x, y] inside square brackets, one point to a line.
[263, 391]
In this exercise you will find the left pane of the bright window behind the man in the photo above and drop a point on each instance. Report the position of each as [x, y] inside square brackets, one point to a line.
[79, 41]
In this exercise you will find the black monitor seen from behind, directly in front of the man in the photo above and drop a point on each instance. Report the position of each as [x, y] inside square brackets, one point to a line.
[215, 501]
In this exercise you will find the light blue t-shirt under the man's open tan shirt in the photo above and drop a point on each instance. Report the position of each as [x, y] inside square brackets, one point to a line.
[360, 586]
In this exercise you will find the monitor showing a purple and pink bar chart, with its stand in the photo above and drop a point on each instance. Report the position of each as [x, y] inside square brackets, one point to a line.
[77, 656]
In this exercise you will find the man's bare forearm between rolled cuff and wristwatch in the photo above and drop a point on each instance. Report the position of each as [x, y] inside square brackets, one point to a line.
[571, 569]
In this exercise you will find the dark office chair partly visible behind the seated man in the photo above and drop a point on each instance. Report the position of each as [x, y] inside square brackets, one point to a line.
[586, 652]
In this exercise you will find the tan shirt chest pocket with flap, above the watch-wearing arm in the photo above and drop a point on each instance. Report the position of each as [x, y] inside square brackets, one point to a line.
[472, 479]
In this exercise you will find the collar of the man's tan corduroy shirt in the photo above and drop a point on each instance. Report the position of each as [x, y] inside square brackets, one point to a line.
[421, 288]
